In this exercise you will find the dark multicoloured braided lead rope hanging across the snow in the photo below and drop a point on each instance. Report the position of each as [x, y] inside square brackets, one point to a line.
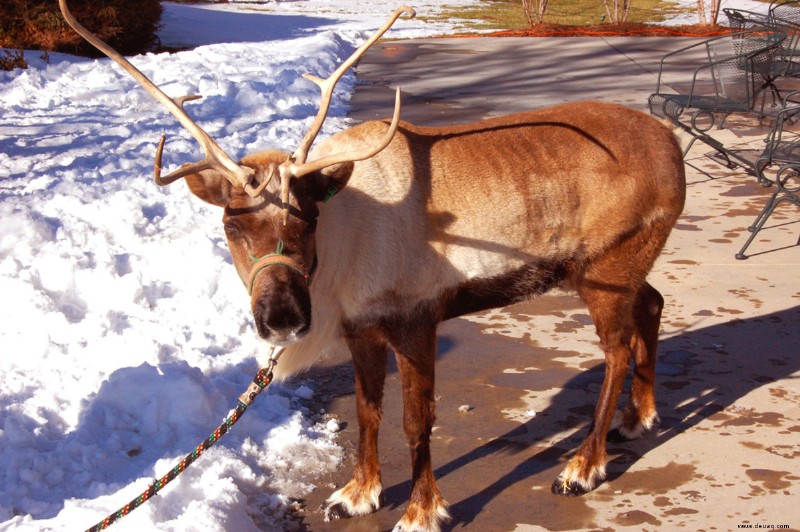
[262, 379]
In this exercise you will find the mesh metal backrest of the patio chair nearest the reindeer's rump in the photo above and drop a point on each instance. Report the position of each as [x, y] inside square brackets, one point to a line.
[741, 63]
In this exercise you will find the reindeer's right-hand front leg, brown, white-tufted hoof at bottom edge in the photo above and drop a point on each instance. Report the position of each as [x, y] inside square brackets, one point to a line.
[416, 356]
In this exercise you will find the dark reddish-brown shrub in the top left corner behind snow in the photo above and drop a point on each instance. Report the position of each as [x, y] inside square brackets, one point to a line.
[128, 26]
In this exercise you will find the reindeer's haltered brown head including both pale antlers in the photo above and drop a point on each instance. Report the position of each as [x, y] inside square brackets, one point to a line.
[269, 223]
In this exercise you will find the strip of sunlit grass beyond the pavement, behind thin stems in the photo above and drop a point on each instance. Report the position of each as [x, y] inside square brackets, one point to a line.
[508, 14]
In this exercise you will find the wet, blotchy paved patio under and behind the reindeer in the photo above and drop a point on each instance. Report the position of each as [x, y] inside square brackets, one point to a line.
[726, 451]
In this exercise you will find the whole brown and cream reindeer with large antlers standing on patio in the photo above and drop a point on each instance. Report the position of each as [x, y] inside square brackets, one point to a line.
[425, 224]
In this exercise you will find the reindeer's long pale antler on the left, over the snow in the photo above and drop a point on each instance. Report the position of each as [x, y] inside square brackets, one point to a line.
[215, 156]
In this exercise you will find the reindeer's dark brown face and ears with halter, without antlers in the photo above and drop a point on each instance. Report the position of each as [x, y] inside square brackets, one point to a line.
[271, 238]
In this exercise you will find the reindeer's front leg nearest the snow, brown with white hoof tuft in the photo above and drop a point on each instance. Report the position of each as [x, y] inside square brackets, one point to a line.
[364, 493]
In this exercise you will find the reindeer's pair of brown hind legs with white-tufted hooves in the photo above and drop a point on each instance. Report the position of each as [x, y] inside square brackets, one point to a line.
[626, 312]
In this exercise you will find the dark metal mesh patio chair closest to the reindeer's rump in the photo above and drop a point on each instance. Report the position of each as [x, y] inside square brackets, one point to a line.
[733, 71]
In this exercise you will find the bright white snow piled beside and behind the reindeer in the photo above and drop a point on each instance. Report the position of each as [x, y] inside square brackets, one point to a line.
[126, 335]
